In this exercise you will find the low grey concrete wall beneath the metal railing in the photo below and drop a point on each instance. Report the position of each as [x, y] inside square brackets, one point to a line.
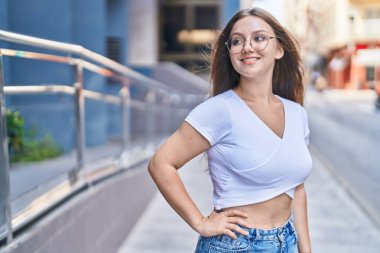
[95, 221]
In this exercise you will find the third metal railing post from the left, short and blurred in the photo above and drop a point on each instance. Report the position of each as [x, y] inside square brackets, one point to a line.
[125, 118]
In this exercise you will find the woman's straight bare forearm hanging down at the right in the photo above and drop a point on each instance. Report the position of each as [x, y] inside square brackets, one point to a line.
[300, 219]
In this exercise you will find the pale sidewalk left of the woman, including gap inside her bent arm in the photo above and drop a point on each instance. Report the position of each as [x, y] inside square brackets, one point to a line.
[160, 229]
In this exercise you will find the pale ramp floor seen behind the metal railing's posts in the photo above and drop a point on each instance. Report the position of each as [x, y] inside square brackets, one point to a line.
[33, 182]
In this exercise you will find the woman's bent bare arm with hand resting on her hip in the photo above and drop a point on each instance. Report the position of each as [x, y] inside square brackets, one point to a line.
[185, 144]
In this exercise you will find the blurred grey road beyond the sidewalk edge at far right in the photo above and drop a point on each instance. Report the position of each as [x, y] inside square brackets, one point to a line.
[345, 127]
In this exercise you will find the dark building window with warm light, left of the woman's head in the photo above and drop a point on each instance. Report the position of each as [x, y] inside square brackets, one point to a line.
[186, 30]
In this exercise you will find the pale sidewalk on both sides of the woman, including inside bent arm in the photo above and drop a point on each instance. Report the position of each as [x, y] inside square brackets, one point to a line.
[337, 222]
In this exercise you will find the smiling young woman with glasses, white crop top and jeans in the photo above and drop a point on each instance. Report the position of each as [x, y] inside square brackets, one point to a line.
[255, 132]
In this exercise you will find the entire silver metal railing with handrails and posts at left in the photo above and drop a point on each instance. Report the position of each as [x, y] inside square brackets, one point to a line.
[100, 65]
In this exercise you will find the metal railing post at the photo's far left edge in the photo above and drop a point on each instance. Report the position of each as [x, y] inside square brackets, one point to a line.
[5, 202]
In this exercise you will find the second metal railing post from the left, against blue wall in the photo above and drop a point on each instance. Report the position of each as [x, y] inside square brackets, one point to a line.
[79, 119]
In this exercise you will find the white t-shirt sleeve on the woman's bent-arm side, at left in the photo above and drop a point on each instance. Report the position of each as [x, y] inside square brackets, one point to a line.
[211, 119]
